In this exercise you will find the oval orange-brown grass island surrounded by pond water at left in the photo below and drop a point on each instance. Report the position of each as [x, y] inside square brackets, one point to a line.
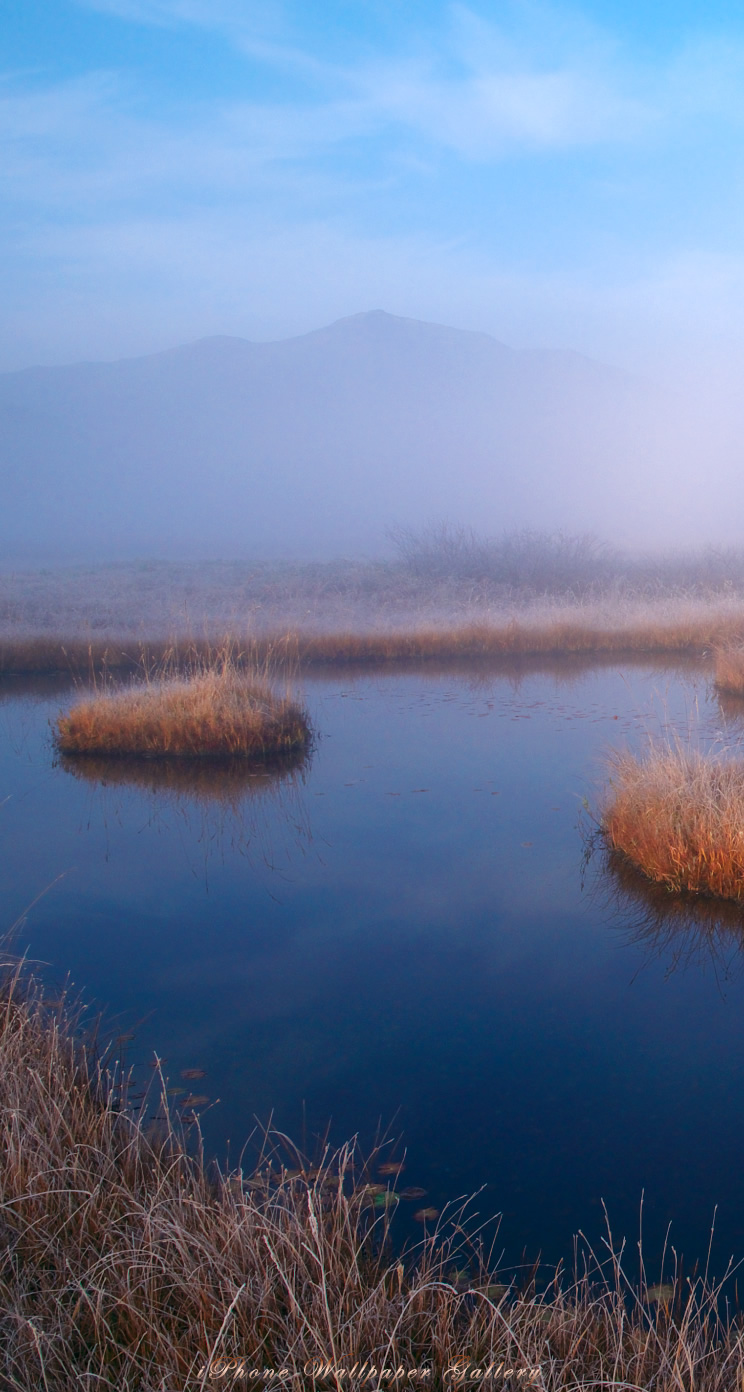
[214, 711]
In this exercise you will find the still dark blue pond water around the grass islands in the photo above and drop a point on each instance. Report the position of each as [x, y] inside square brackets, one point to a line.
[405, 933]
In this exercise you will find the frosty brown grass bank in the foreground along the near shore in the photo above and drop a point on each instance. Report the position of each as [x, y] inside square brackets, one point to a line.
[129, 1265]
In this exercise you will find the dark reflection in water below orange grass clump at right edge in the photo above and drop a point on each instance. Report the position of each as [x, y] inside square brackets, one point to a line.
[683, 931]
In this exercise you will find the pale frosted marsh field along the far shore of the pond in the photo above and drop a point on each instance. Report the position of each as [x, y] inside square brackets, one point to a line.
[447, 591]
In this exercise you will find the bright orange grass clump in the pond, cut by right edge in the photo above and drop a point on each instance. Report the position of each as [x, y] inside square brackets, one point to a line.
[679, 816]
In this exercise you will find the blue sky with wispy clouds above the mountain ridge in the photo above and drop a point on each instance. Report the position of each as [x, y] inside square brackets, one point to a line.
[554, 175]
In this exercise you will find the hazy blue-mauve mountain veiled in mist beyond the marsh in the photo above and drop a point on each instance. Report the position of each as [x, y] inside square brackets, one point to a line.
[317, 448]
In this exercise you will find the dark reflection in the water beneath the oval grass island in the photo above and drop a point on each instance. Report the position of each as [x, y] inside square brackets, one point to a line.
[203, 780]
